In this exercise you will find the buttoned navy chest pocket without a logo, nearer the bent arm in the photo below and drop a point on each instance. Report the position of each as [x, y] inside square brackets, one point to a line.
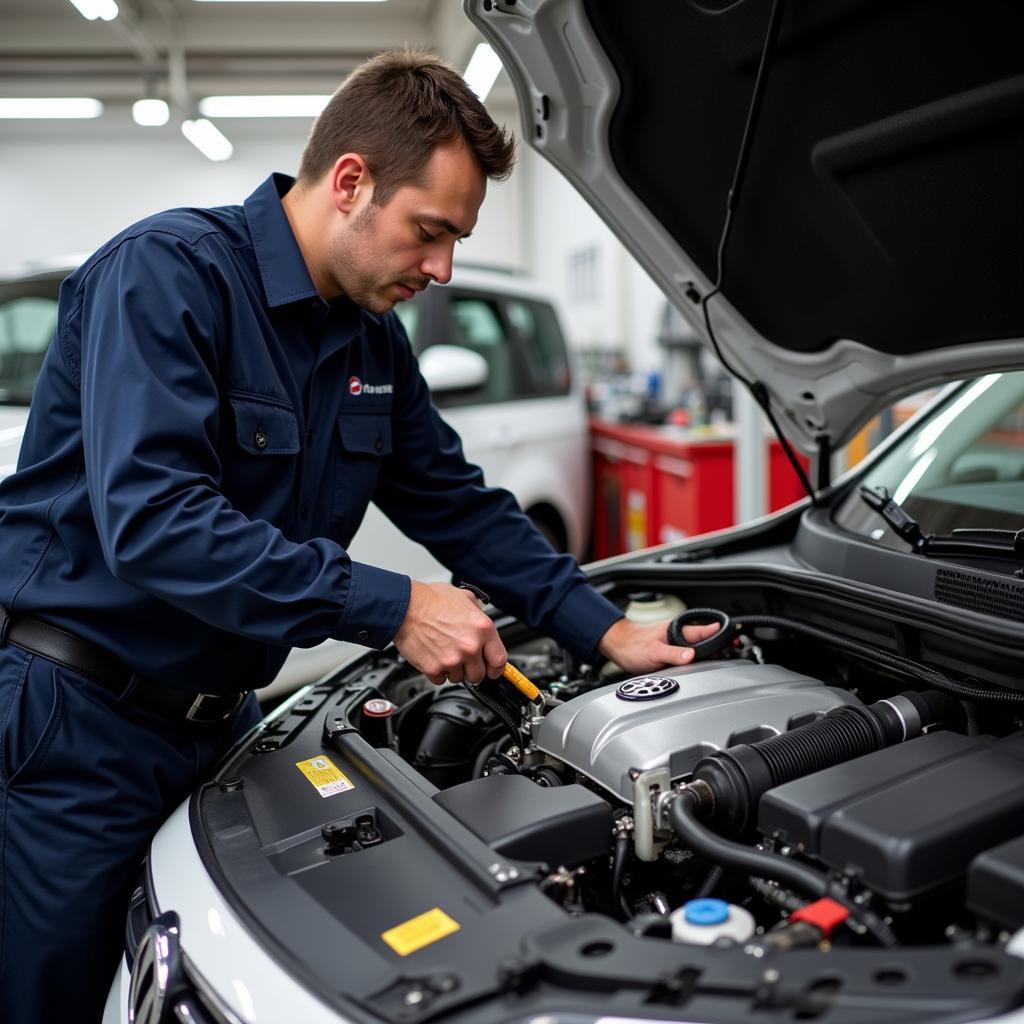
[262, 458]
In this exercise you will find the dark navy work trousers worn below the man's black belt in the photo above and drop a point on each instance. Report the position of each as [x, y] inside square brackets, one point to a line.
[86, 782]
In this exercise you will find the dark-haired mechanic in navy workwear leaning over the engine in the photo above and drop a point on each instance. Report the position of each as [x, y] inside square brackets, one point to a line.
[227, 392]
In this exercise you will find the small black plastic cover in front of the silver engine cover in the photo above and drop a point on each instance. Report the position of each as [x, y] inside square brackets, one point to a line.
[566, 825]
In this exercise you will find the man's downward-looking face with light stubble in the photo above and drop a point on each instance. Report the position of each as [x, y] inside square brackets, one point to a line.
[385, 254]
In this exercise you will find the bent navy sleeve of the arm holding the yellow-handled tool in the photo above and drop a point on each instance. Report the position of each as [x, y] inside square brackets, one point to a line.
[153, 329]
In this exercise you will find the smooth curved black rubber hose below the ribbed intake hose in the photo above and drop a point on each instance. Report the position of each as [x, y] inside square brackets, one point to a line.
[684, 820]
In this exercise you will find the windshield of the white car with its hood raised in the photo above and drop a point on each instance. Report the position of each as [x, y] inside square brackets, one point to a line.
[962, 467]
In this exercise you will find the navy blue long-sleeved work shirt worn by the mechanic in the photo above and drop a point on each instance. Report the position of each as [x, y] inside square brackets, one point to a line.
[203, 443]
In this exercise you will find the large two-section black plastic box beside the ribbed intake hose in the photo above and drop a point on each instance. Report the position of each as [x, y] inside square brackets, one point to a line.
[909, 819]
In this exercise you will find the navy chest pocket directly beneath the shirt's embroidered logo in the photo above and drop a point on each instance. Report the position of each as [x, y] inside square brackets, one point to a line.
[365, 439]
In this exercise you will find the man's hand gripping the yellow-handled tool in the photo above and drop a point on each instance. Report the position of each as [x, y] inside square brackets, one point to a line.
[447, 636]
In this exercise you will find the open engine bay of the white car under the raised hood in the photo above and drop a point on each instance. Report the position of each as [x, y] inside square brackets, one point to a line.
[806, 792]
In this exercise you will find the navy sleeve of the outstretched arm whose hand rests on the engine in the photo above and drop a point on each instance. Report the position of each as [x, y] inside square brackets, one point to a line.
[436, 496]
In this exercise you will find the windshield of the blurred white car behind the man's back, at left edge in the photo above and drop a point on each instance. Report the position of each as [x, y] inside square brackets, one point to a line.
[28, 317]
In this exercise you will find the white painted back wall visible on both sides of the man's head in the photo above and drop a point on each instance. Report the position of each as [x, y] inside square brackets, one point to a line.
[68, 188]
